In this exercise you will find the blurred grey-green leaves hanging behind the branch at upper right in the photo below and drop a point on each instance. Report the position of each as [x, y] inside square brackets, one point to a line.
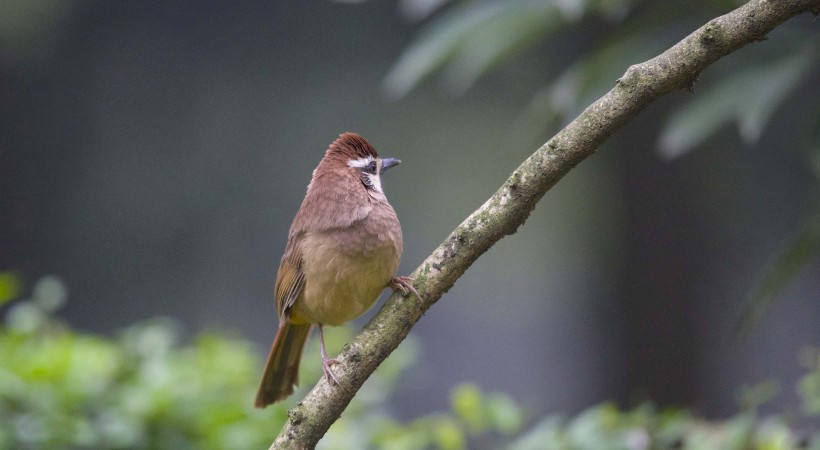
[464, 40]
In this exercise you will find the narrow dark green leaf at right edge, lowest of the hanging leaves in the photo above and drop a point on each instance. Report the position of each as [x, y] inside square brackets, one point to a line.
[786, 266]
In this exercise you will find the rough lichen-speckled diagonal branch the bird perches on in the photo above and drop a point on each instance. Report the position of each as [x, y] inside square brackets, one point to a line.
[502, 214]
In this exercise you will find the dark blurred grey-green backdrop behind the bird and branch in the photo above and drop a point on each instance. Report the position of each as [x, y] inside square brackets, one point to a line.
[153, 154]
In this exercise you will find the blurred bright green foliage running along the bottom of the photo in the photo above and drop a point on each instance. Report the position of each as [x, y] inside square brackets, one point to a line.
[60, 388]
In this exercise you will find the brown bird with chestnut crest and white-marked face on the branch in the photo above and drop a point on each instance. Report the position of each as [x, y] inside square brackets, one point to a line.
[343, 250]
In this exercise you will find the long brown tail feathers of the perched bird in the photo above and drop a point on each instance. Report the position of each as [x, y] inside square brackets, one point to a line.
[282, 369]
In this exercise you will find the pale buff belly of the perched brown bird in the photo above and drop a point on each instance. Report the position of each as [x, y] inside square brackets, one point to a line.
[342, 285]
